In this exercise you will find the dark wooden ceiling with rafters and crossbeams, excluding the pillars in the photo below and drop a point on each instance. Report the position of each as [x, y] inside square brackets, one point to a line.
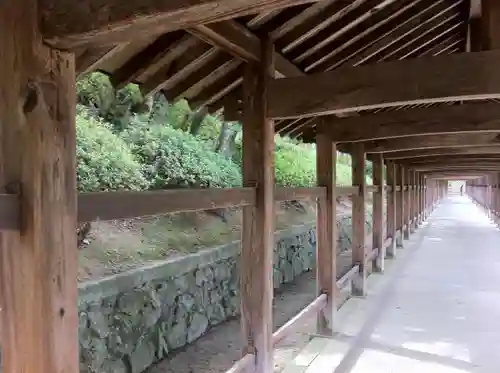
[338, 66]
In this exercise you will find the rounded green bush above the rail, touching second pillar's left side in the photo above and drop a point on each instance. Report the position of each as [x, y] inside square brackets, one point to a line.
[172, 157]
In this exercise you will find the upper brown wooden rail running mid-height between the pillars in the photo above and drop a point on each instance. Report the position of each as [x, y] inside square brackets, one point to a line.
[131, 204]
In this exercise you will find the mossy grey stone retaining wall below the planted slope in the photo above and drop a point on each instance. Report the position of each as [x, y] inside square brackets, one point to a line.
[130, 320]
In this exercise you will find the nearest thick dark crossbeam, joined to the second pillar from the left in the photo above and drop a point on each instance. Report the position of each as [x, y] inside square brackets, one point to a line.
[456, 77]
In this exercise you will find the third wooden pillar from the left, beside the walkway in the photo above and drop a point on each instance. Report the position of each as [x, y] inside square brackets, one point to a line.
[326, 246]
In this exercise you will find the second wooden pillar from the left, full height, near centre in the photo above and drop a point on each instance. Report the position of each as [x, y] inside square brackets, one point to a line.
[258, 221]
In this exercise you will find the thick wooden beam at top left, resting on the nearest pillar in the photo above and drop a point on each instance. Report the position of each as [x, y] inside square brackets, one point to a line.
[68, 24]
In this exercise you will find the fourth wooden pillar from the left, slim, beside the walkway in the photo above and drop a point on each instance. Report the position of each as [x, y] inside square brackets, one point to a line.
[358, 218]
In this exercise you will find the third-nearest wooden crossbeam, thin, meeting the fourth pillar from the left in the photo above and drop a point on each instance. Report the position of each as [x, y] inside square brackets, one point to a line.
[430, 141]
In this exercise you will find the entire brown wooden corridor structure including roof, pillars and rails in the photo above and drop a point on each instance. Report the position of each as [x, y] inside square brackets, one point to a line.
[413, 84]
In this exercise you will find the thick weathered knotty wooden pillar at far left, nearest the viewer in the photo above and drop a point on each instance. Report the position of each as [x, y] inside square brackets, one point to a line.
[38, 263]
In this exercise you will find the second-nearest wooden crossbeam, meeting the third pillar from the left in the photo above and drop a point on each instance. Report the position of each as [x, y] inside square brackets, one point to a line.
[484, 117]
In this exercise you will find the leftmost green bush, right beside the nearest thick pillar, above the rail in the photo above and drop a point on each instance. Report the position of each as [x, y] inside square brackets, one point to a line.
[104, 161]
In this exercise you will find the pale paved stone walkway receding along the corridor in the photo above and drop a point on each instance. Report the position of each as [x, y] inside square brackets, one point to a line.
[435, 310]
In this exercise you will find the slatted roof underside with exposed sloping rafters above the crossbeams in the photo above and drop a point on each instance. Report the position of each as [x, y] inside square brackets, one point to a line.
[204, 64]
